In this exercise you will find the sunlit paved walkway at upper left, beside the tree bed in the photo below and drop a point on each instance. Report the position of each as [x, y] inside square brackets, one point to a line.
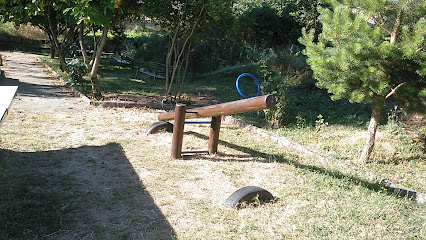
[38, 90]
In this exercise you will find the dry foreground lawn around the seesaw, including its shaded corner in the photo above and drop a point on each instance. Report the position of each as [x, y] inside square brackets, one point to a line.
[121, 183]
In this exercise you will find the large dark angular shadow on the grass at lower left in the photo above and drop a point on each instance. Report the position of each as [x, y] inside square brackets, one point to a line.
[86, 192]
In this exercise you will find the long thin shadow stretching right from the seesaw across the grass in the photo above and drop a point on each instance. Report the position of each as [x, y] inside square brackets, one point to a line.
[374, 186]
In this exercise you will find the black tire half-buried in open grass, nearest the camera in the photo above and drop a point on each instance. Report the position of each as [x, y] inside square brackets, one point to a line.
[249, 194]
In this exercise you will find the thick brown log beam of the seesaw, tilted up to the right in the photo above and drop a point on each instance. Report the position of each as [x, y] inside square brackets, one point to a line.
[239, 106]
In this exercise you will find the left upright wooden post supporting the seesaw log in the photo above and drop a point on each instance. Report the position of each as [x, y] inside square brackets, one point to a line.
[178, 128]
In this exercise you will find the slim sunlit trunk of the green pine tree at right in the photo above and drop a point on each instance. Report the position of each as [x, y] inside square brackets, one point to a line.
[371, 135]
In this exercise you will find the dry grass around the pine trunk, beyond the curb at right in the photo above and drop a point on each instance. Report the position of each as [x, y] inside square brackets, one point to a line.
[396, 155]
